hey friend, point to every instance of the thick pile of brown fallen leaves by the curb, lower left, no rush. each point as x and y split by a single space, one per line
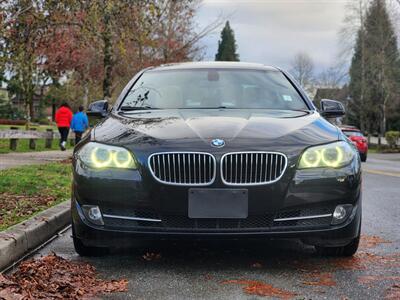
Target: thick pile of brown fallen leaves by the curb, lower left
52 277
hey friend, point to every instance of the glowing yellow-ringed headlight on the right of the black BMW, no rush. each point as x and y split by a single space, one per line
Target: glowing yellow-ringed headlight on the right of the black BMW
332 155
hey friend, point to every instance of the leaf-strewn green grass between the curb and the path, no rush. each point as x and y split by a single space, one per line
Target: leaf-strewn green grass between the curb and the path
27 190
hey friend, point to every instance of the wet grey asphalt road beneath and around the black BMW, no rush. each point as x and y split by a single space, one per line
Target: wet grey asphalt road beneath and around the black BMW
223 270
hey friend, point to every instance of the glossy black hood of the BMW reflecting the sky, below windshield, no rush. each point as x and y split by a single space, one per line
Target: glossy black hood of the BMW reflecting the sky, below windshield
196 128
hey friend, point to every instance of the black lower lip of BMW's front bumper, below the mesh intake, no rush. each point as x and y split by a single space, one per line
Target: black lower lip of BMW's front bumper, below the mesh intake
99 236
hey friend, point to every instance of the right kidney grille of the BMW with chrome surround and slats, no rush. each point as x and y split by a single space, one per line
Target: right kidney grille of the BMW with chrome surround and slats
268 163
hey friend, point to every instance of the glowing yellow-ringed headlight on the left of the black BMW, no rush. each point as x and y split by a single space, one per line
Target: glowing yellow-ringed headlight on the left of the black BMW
101 156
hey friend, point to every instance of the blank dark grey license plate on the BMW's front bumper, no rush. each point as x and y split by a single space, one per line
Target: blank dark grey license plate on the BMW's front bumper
218 203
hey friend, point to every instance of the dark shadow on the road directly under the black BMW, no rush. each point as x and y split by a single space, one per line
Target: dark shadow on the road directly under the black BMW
221 254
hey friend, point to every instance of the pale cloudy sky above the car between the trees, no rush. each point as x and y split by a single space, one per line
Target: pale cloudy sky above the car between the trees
273 31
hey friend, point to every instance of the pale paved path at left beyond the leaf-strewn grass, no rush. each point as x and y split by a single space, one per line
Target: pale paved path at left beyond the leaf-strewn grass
11 160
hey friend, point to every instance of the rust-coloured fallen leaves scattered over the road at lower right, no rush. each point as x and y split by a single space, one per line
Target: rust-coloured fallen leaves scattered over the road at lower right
319 277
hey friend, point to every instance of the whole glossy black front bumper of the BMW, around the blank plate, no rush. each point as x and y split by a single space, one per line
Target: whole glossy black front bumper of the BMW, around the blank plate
298 193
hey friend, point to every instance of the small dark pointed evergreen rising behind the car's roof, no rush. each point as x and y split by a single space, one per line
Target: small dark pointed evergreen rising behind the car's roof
227 45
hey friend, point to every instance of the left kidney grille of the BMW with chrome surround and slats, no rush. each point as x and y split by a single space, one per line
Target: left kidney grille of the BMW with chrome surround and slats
211 158
